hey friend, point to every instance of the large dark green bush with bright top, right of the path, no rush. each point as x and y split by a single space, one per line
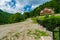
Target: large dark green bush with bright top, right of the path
50 22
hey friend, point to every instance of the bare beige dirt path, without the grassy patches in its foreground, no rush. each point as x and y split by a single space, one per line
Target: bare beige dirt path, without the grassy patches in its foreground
23 27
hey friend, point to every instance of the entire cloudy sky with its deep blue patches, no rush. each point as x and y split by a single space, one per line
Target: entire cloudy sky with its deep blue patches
14 6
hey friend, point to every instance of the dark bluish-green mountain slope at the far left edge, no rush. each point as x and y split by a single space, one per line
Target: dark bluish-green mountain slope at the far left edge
3 17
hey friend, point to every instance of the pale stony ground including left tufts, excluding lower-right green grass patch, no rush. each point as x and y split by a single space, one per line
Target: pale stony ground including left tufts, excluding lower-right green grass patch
18 31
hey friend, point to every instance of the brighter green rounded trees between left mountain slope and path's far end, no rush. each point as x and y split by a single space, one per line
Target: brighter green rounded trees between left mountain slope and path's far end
15 18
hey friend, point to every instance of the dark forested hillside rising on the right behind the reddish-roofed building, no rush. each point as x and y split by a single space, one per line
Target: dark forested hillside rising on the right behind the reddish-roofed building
54 4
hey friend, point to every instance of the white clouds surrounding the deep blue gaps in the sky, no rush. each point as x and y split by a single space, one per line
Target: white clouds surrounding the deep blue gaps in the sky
20 4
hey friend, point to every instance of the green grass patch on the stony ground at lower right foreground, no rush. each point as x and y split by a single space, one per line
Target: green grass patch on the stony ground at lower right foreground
37 33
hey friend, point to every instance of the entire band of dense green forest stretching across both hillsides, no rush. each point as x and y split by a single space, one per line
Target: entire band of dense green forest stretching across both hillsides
6 17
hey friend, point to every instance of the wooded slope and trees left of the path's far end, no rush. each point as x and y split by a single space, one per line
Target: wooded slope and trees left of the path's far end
6 18
